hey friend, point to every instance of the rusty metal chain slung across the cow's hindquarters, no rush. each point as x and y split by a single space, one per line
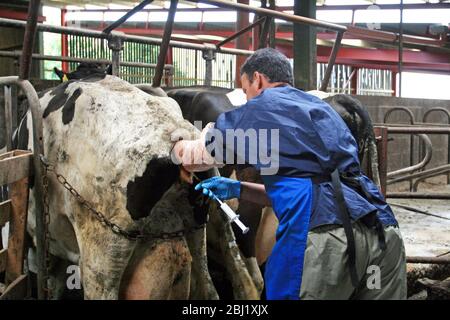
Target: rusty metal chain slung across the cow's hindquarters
130 235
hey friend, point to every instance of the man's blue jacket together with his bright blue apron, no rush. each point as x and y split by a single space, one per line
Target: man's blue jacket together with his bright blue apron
313 141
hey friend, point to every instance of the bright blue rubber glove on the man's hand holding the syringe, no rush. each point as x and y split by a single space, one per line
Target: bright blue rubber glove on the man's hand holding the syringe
223 188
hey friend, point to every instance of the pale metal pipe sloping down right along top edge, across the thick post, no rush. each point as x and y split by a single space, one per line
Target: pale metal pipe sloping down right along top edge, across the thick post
274 14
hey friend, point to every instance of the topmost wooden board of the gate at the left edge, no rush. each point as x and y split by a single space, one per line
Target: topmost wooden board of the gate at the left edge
14 165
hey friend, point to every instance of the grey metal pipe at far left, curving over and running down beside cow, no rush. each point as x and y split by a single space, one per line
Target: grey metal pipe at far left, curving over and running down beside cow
36 114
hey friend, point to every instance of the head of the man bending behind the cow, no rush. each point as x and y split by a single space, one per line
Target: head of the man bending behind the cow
266 68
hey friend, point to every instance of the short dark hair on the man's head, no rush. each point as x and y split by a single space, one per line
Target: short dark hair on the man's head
270 62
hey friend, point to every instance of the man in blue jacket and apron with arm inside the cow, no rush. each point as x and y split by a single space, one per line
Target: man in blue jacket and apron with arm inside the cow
337 238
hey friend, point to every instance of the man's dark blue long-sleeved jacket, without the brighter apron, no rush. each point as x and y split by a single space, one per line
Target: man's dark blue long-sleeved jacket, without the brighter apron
313 141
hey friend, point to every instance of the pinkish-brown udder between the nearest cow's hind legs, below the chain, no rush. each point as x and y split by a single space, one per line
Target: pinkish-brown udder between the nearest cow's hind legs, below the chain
158 271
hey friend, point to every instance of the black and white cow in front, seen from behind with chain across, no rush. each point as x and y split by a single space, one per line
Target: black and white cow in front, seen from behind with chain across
112 142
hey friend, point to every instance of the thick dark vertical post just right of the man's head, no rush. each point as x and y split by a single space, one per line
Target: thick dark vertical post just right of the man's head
305 51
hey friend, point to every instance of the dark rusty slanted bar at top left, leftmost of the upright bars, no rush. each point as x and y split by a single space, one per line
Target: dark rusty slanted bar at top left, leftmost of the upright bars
29 38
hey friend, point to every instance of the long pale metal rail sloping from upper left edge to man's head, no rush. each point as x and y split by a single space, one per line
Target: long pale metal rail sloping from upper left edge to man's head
126 37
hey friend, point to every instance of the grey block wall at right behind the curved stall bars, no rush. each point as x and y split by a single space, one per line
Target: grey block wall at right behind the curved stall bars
398 150
